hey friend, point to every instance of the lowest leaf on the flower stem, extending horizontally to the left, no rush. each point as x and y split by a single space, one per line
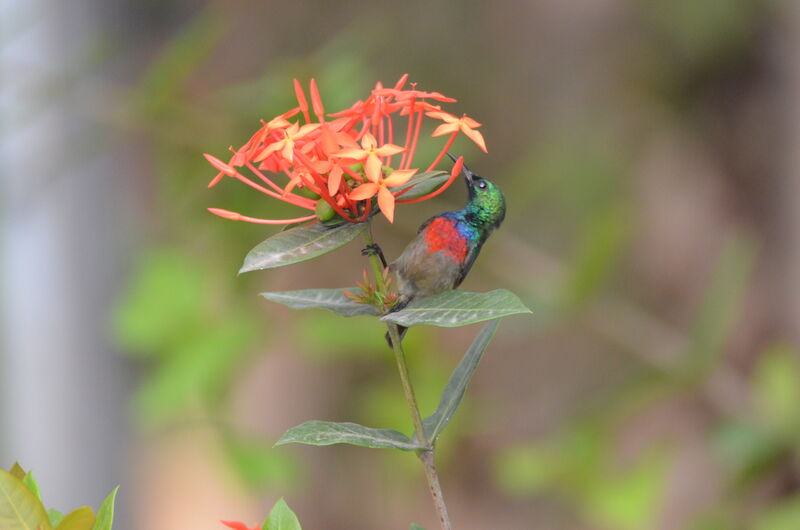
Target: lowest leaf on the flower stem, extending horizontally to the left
329 433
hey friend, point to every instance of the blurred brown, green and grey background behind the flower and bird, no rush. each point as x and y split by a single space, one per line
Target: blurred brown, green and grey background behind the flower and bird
650 154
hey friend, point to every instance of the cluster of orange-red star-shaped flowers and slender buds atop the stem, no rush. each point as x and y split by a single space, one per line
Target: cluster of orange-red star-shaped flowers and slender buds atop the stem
338 163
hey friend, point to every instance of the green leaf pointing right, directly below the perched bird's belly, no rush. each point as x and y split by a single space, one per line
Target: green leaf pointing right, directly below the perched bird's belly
458 308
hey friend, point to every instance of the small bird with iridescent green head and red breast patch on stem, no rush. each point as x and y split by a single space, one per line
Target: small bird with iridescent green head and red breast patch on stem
442 253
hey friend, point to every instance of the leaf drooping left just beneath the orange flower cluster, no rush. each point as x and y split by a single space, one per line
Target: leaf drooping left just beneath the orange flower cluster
300 244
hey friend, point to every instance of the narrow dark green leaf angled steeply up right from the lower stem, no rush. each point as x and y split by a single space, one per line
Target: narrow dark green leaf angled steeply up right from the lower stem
457 385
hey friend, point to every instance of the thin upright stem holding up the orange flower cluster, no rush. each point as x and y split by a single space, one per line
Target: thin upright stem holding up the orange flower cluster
426 456
